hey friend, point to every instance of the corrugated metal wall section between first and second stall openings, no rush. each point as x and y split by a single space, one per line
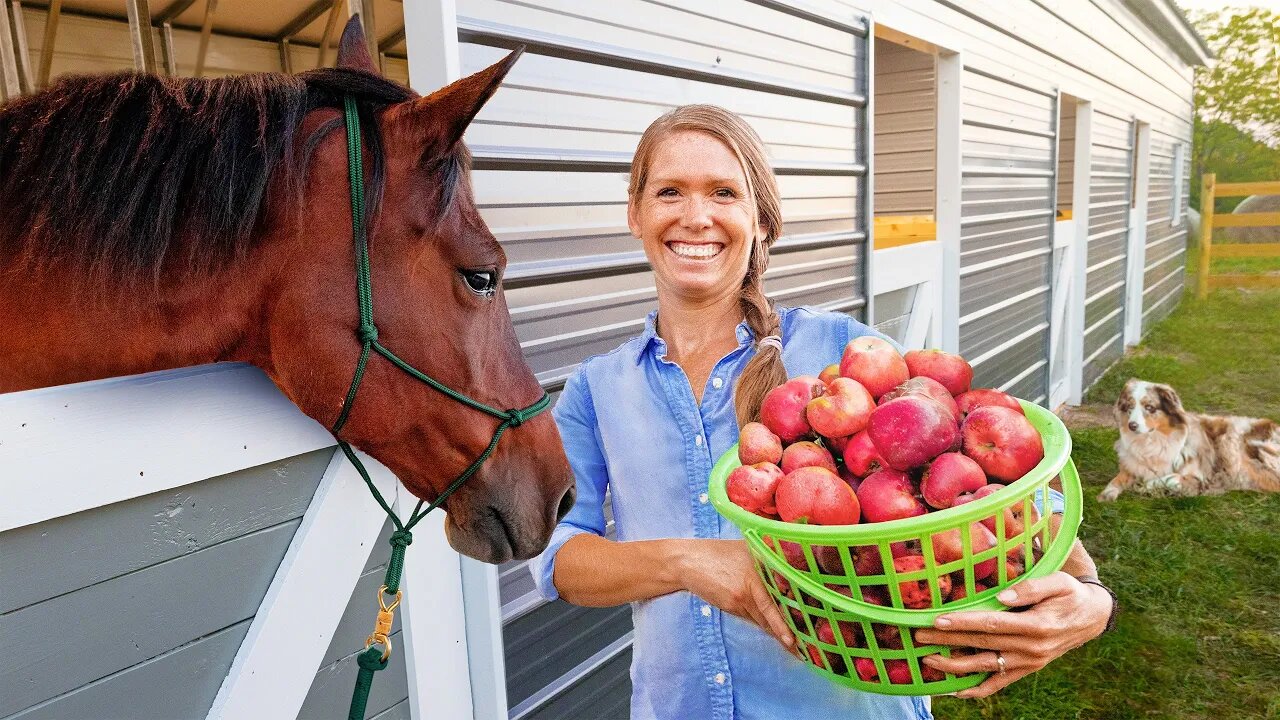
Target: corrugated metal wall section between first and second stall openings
1007 243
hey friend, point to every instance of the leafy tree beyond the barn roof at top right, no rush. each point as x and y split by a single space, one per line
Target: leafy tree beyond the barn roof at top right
1237 125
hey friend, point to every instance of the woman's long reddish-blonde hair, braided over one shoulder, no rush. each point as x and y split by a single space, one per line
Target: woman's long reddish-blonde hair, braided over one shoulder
766 371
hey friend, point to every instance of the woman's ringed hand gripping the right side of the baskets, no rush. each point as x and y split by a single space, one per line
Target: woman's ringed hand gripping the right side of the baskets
1063 614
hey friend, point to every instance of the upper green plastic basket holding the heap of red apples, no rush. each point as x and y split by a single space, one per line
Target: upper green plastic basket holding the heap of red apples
826 557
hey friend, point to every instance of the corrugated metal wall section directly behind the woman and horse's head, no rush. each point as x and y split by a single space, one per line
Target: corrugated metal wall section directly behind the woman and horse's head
552 152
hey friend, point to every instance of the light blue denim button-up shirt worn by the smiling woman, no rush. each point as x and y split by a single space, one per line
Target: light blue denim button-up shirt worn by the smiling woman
630 425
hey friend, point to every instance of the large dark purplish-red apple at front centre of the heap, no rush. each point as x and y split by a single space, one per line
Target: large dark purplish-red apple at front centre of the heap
911 431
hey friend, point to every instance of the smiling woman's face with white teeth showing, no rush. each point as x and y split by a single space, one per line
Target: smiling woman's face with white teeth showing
696 217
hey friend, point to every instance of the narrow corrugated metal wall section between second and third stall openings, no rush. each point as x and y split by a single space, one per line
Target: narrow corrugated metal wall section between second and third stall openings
1110 197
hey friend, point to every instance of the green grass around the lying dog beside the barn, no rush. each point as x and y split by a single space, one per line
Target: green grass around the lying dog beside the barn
1199 578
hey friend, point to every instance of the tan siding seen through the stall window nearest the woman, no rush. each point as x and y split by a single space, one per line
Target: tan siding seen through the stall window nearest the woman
907 136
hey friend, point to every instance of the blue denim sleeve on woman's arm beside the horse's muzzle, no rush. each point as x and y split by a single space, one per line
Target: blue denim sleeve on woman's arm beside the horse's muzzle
575 418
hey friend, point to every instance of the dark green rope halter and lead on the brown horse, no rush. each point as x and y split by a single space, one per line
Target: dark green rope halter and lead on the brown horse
376 659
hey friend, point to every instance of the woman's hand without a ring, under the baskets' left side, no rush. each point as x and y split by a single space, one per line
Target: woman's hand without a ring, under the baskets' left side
724 575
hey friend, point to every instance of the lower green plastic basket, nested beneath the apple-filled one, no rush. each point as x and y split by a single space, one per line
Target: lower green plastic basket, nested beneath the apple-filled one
881 636
